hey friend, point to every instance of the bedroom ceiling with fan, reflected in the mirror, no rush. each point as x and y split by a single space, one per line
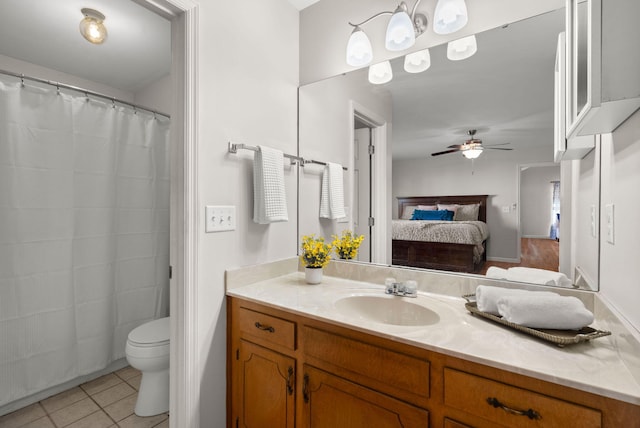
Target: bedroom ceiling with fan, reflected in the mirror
505 91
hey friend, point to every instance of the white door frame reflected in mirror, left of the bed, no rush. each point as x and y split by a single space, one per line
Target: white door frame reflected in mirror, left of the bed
381 173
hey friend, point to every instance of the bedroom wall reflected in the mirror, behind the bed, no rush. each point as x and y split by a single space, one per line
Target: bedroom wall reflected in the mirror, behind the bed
494 173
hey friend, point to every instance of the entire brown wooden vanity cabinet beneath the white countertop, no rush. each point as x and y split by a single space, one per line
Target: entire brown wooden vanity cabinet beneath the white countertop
287 370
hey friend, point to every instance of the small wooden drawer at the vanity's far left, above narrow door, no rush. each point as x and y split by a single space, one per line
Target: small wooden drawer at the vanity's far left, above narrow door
268 328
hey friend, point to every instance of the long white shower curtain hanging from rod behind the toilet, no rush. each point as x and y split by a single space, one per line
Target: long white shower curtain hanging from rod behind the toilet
84 233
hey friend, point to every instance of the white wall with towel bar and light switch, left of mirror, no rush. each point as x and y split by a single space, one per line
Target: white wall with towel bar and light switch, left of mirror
247 91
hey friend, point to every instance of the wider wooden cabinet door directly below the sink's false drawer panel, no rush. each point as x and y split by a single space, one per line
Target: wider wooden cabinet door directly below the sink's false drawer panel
330 402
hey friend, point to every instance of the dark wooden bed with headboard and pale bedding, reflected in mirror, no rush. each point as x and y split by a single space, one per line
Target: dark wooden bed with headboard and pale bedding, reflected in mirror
435 250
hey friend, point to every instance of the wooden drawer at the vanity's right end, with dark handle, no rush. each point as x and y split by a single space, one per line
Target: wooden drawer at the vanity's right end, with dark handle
506 405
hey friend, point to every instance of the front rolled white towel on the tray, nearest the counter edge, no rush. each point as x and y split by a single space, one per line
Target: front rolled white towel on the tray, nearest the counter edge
552 312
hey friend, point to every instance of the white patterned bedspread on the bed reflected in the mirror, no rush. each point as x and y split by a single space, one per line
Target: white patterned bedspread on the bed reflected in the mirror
454 232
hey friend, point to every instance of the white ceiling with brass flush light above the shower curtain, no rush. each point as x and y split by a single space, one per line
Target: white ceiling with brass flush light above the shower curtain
45 32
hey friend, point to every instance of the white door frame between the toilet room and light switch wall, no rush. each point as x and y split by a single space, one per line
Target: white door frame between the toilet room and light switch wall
184 407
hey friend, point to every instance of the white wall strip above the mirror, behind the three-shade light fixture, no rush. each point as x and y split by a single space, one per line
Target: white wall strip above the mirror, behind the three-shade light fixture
324 29
